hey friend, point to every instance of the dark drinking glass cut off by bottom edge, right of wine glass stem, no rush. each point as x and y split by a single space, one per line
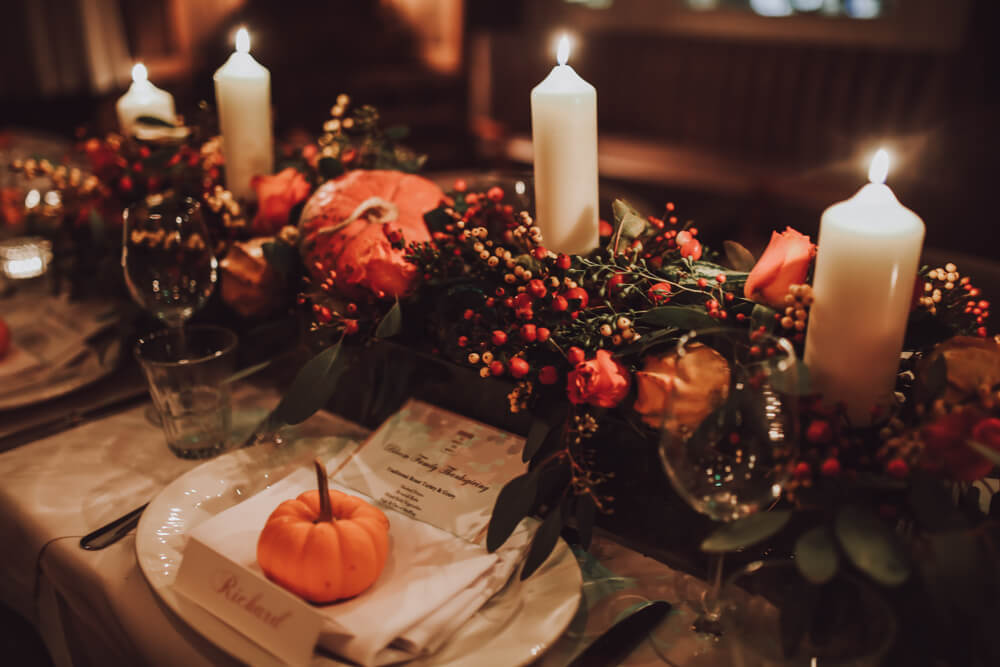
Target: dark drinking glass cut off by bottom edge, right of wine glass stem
842 623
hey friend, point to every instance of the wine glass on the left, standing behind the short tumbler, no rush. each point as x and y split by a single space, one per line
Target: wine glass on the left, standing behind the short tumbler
167 257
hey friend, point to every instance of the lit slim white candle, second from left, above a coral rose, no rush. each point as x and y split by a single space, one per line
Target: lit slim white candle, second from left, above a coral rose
243 95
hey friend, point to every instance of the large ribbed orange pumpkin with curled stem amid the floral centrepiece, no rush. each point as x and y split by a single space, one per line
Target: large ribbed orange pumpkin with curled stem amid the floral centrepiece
344 226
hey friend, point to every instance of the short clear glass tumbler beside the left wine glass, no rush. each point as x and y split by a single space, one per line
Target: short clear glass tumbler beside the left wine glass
190 387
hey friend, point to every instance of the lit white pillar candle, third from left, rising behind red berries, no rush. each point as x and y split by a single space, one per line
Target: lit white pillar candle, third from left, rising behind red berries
564 135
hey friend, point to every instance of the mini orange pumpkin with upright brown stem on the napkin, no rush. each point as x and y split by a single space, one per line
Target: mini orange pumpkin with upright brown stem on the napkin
324 545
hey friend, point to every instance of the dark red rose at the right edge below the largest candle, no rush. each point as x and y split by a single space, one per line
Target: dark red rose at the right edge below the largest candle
945 445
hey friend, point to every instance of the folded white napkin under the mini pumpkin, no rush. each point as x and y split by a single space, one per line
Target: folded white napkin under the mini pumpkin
433 581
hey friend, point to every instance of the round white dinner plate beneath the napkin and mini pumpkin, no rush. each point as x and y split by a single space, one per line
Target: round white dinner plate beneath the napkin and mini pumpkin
515 627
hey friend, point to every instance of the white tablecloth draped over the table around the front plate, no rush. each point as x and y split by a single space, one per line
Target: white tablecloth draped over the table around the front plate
96 608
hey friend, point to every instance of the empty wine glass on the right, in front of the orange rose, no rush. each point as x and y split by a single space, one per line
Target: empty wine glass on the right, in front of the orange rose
729 431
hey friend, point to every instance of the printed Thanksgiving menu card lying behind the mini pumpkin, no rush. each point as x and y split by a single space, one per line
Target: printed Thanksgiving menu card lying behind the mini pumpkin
437 467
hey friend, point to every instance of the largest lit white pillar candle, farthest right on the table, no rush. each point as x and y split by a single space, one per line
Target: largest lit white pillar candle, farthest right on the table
866 264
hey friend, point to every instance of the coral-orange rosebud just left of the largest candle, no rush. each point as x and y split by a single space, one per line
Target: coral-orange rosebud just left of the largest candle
785 262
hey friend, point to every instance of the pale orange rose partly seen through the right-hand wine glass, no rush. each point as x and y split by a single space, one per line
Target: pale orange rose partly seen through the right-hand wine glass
675 394
